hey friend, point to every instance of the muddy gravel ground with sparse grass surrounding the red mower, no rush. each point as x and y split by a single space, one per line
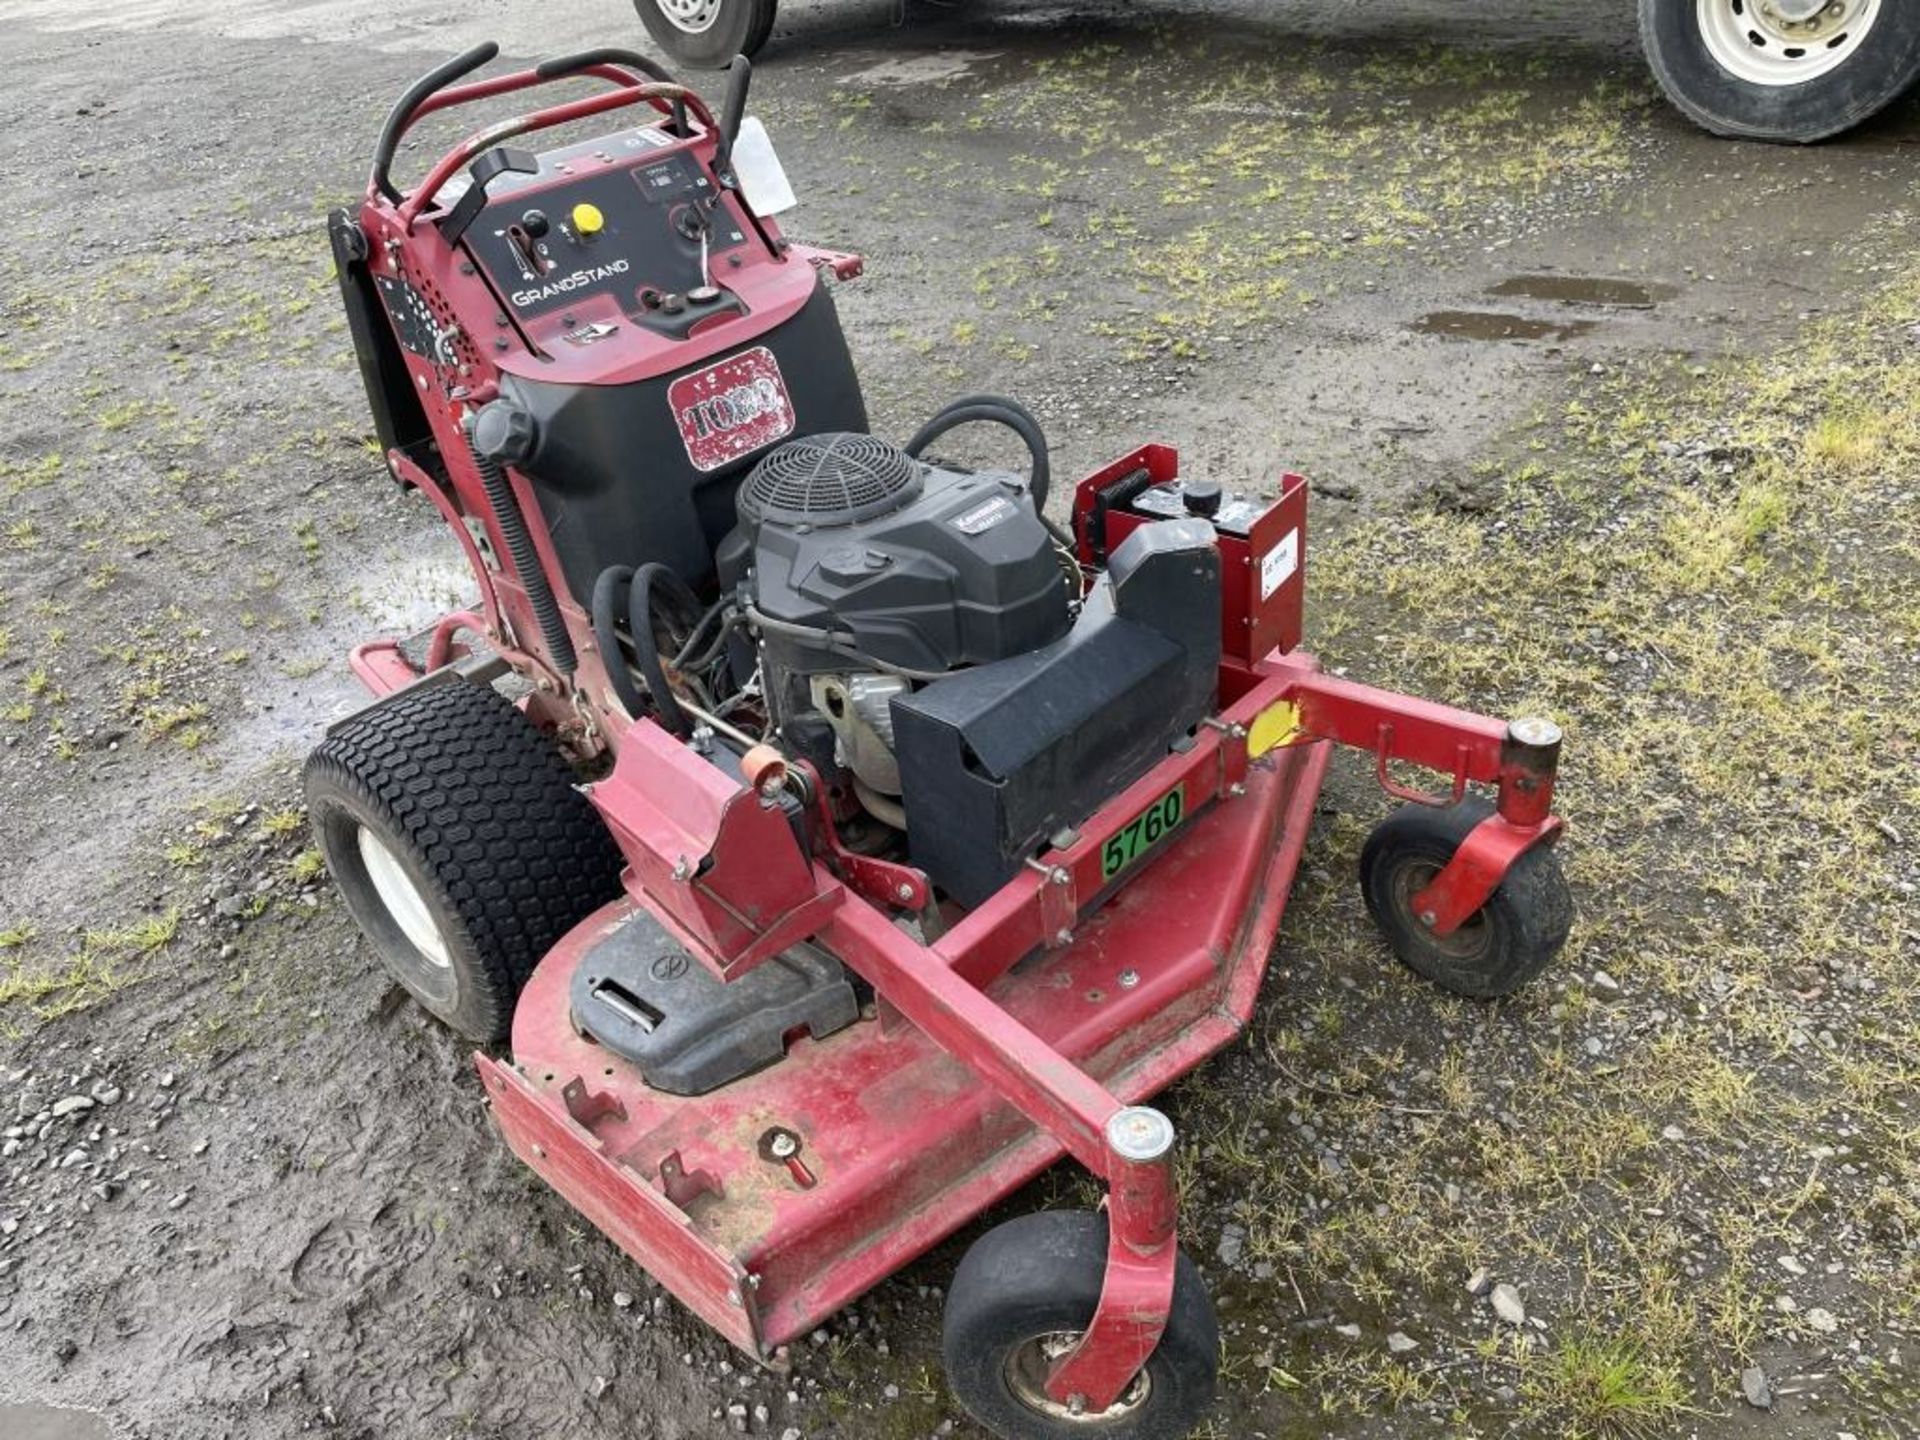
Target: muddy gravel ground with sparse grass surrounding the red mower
1604 418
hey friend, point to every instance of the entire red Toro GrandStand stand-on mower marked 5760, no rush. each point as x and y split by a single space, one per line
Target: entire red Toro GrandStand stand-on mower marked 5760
840 840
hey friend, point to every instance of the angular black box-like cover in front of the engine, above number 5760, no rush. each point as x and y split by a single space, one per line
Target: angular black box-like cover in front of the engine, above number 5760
999 757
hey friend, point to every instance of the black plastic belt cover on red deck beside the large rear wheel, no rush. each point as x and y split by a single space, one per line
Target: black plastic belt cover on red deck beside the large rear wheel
648 1001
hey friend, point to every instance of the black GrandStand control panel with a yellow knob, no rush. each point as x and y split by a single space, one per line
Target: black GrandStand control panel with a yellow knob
633 218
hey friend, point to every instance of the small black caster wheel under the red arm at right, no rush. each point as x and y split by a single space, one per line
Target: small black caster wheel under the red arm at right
1502 946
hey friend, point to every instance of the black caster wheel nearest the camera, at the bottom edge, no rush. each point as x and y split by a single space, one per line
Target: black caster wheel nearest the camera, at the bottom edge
1026 1293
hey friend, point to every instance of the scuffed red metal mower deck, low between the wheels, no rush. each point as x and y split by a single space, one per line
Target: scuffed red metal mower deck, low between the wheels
898 1143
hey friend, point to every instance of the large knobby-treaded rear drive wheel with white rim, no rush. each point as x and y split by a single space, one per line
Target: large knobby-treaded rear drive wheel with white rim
460 844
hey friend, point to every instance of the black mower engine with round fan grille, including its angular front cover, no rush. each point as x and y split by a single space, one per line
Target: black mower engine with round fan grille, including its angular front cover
923 640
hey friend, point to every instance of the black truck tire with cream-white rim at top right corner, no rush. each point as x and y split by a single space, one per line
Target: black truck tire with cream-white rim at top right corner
1781 70
